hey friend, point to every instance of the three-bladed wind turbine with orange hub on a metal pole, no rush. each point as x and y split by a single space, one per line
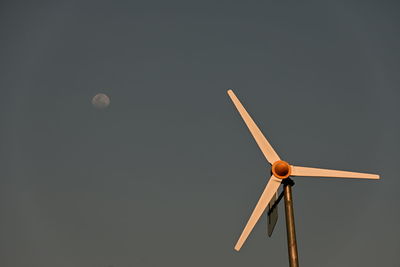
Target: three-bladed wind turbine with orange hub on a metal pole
281 171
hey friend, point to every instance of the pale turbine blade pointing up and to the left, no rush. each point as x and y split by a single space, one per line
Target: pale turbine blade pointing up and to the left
262 142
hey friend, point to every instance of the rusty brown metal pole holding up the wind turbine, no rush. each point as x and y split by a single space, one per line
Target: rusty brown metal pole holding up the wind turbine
291 233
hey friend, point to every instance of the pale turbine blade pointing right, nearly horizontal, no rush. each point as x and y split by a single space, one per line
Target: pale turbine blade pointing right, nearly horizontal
305 171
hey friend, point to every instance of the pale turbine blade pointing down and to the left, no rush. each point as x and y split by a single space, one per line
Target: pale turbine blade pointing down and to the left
266 196
